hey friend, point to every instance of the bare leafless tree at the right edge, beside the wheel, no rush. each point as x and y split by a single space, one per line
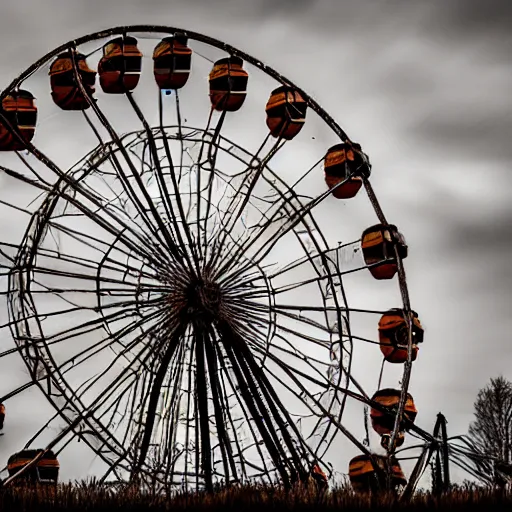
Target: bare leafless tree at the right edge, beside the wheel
491 432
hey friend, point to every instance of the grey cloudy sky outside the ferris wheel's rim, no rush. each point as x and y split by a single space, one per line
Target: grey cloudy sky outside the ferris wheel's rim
425 87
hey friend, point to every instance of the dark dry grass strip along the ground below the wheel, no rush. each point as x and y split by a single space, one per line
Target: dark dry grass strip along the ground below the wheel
91 497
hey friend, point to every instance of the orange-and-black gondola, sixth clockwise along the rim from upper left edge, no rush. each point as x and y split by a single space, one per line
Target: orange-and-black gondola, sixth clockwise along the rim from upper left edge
286 112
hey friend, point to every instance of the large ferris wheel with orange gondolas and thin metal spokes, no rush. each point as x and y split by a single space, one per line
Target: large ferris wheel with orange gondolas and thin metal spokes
195 272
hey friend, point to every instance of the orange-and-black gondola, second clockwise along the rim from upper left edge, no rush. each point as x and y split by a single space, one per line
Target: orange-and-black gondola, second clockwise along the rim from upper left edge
66 92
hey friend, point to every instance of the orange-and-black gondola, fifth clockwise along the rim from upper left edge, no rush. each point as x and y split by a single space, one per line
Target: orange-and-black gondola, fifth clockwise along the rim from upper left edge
228 84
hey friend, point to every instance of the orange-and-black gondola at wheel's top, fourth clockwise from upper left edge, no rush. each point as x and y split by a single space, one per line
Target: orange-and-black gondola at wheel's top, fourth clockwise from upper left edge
172 60
